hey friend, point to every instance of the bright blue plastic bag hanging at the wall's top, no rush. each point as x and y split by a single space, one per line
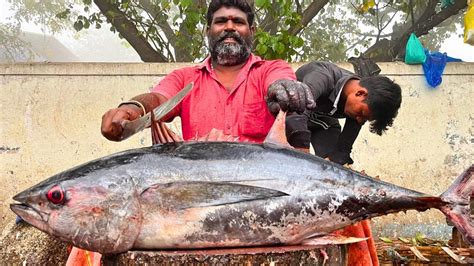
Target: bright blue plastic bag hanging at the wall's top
434 66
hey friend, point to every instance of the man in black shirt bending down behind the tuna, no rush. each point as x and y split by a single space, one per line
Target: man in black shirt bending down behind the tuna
339 93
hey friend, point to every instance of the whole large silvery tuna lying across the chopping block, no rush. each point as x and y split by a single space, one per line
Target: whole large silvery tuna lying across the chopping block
218 194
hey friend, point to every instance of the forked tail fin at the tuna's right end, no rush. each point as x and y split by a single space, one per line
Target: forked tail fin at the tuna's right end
457 204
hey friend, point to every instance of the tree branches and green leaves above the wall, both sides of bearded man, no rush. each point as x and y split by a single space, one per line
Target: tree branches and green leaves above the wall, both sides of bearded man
302 30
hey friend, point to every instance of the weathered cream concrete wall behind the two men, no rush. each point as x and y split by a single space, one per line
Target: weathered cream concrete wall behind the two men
51 117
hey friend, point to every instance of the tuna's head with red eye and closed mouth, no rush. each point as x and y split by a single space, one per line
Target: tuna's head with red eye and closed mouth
93 213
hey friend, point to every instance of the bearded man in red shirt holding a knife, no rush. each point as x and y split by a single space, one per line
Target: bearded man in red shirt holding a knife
230 88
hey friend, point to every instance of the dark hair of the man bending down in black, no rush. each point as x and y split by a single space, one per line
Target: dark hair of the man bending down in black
383 98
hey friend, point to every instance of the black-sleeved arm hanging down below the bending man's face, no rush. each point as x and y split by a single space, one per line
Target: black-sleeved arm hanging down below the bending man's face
342 152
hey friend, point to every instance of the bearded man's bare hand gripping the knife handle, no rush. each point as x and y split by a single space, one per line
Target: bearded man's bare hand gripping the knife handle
112 120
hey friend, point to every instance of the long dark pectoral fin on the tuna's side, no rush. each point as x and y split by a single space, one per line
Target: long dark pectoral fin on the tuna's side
195 194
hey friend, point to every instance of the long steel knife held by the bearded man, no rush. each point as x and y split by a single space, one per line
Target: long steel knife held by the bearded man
131 127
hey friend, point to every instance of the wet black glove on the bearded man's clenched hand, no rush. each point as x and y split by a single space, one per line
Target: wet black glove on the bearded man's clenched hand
289 95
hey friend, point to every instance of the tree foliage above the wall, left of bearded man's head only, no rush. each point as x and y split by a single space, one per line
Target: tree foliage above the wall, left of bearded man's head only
172 28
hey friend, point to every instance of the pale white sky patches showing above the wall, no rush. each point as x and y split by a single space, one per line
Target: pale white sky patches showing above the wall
104 46
